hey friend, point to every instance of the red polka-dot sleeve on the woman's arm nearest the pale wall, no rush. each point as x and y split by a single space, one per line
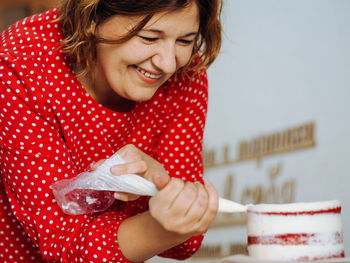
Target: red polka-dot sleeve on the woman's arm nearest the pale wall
180 148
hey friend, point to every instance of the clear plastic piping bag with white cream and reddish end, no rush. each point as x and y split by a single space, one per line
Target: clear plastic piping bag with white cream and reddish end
92 191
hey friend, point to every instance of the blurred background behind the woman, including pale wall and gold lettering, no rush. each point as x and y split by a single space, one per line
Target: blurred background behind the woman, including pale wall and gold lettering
278 119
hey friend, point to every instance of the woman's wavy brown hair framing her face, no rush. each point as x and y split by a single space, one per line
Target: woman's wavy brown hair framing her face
77 16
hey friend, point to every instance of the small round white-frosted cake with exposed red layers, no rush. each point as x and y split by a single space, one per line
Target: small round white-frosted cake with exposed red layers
296 231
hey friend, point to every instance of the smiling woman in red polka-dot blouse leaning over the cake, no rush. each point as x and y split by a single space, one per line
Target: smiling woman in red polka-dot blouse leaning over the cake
90 79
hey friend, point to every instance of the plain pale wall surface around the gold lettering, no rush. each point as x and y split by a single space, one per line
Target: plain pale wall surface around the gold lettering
284 63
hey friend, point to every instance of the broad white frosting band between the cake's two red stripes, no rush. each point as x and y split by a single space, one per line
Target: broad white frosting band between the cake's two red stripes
260 224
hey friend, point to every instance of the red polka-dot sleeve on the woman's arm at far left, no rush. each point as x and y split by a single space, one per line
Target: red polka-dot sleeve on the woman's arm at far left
34 155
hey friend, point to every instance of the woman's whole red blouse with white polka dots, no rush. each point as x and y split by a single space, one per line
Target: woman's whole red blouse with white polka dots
51 129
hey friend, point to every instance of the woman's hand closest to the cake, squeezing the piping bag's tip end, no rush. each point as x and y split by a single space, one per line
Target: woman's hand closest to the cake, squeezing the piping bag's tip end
185 208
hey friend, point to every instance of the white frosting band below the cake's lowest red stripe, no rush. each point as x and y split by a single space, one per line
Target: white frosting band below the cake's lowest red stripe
294 252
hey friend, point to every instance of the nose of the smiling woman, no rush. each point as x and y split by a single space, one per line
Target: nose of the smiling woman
165 58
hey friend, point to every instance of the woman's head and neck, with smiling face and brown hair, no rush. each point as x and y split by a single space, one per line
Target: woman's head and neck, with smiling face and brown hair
169 43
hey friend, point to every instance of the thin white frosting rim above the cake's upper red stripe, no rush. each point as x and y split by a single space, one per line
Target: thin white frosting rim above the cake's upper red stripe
294 207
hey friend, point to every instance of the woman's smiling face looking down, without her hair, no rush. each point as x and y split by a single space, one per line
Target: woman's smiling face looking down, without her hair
136 68
